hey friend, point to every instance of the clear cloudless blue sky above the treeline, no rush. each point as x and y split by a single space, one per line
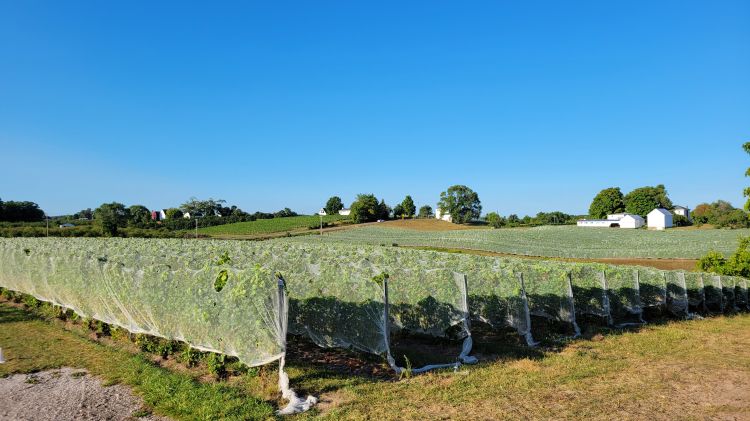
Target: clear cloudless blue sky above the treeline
535 105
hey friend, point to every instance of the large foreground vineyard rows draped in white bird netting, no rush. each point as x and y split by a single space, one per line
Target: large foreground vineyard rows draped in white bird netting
241 298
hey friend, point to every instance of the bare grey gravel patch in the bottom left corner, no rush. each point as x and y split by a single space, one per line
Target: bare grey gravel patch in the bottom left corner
67 394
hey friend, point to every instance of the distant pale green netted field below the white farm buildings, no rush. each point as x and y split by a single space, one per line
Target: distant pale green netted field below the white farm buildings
555 241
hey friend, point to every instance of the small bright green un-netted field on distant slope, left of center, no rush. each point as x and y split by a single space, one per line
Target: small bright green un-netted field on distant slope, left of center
270 226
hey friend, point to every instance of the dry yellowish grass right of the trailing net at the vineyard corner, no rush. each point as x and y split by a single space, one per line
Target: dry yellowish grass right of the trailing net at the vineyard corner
681 370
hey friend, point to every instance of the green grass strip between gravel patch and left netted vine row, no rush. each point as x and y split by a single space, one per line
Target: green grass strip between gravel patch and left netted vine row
31 344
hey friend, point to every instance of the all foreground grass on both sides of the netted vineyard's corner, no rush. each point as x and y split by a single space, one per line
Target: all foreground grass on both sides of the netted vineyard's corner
688 370
